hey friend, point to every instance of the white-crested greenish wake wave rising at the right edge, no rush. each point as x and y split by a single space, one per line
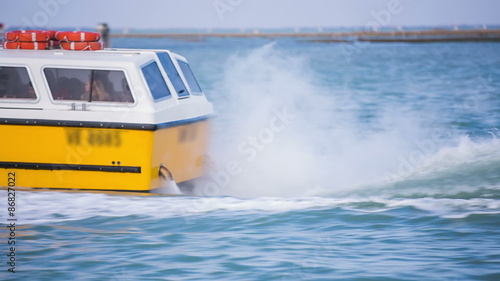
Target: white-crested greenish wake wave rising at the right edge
466 170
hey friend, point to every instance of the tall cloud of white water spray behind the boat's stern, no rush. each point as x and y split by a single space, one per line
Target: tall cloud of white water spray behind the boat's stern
282 133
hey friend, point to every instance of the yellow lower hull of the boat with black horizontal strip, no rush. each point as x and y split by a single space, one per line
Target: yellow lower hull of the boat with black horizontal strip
101 158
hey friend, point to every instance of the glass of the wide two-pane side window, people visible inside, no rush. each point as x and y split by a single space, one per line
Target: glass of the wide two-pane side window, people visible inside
74 85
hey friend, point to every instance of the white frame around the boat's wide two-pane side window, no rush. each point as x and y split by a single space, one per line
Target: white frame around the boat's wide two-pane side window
93 103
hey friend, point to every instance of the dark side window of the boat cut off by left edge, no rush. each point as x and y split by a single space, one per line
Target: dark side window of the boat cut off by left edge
15 83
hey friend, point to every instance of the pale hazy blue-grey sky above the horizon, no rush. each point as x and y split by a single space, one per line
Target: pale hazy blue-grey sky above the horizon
244 14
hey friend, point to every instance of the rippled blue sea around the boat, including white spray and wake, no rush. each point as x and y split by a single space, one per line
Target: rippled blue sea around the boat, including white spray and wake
328 161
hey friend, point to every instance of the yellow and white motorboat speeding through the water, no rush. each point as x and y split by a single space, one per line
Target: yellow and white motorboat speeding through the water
105 119
